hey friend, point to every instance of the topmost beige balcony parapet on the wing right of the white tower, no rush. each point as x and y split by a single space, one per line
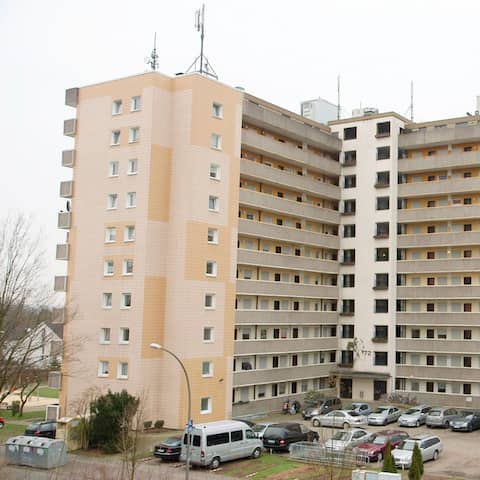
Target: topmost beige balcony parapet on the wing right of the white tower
432 137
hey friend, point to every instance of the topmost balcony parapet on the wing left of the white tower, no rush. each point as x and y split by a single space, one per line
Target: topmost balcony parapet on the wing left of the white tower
284 122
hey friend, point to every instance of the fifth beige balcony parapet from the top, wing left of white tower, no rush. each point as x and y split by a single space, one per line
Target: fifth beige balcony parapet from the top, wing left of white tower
281 233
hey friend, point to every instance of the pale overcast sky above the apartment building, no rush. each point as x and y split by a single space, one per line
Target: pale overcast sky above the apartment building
283 51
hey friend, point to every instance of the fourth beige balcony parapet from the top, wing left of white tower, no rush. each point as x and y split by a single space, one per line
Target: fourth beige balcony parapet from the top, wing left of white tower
281 206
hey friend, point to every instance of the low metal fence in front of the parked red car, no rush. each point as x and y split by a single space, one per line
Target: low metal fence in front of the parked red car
314 452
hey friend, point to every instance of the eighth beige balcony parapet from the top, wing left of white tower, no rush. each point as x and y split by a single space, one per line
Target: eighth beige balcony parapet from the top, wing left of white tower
278 317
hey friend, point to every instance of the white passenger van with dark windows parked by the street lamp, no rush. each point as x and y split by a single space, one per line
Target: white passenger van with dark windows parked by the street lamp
216 442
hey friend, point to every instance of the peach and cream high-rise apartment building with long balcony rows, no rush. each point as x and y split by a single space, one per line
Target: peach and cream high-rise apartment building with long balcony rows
273 254
